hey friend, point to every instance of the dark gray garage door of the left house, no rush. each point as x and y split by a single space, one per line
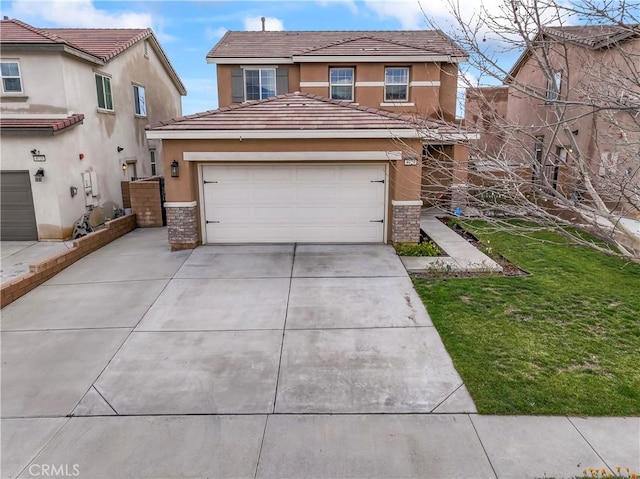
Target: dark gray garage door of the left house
18 217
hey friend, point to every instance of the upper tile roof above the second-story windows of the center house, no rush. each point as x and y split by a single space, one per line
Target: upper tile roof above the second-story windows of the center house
289 43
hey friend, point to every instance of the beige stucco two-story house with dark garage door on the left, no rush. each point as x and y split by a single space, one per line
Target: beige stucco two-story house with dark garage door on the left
74 106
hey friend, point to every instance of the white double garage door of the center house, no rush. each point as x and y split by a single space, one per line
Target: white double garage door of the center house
294 203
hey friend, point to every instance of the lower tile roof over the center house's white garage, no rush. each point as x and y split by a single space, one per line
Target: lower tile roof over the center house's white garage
301 111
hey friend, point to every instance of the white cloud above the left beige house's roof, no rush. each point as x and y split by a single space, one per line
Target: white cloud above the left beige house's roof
79 14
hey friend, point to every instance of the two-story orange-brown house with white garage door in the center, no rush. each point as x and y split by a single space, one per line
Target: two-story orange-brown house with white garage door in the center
319 137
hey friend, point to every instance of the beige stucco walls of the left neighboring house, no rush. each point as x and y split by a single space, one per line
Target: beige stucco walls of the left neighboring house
70 88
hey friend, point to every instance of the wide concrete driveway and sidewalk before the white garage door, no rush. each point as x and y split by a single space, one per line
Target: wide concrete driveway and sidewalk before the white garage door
250 361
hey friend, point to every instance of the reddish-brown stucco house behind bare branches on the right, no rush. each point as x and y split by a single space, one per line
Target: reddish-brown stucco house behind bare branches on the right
574 94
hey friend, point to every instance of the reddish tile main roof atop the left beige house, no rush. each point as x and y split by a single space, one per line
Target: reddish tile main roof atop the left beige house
102 43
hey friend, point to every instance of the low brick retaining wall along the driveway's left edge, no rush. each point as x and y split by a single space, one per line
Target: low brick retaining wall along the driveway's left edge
41 272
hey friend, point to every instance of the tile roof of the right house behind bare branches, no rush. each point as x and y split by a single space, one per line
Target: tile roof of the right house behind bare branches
592 36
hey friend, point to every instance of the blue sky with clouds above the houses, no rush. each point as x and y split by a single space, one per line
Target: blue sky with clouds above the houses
187 30
